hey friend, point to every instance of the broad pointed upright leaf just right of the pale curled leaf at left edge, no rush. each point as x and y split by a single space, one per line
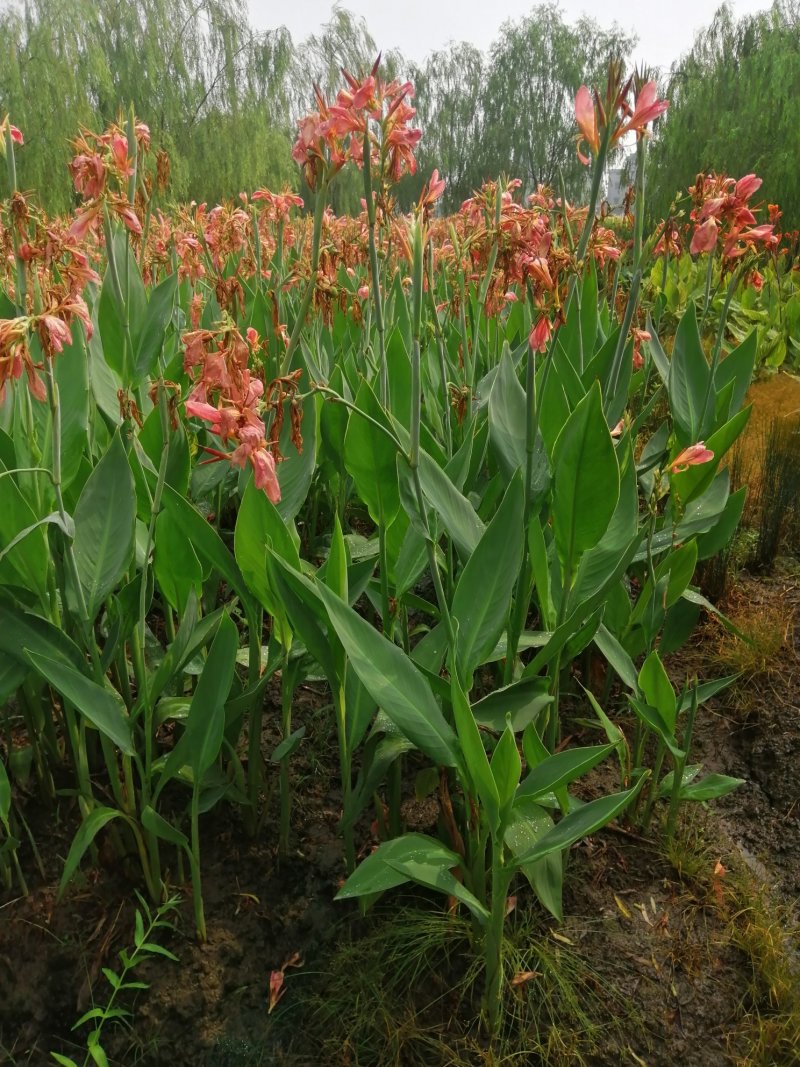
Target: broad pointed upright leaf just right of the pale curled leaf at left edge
104 527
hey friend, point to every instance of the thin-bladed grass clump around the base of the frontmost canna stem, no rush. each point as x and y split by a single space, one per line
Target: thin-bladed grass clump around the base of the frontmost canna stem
406 993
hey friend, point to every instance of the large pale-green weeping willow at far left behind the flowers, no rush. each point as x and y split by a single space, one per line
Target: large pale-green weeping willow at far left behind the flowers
214 93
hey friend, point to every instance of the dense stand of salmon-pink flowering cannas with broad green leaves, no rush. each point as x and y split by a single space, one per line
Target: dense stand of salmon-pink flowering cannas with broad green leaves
248 434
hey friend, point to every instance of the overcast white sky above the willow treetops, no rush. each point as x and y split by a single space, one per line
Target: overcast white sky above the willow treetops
418 27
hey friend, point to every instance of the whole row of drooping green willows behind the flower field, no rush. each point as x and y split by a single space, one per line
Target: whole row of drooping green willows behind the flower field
222 100
